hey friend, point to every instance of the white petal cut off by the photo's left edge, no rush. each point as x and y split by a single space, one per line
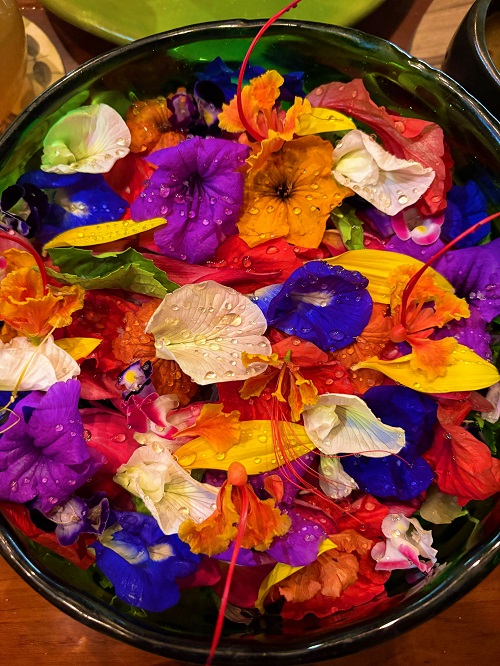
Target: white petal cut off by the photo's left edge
43 365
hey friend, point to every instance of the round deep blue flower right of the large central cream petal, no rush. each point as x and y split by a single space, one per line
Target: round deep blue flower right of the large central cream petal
327 305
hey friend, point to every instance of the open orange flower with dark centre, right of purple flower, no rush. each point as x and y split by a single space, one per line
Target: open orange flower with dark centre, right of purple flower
291 195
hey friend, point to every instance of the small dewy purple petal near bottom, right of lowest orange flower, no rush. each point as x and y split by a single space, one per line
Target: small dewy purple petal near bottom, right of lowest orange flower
299 546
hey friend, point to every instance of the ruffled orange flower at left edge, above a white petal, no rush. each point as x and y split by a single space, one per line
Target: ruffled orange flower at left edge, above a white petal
23 304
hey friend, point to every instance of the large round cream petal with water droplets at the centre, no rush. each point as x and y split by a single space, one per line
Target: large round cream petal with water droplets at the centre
205 327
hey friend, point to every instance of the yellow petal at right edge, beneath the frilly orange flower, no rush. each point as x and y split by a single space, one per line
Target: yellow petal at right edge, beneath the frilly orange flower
469 372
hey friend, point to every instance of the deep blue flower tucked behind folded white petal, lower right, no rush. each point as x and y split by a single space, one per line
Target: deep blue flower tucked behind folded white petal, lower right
404 476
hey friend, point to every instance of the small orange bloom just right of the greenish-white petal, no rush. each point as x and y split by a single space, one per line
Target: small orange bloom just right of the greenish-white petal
150 129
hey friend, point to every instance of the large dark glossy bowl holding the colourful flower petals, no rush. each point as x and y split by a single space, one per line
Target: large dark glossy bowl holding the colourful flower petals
156 65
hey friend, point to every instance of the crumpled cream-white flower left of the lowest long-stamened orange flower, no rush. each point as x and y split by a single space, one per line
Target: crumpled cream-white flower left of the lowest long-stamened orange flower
167 490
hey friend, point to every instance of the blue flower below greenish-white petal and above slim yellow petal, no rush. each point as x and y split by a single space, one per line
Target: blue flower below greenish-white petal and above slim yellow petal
75 200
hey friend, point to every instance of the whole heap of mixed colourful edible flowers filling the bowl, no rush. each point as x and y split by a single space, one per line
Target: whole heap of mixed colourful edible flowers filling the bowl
247 334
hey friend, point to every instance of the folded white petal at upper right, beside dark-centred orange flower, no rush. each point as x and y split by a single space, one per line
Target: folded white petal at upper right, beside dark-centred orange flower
388 182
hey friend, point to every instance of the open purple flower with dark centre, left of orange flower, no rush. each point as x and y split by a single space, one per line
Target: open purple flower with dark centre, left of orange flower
199 191
